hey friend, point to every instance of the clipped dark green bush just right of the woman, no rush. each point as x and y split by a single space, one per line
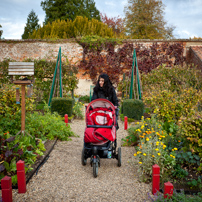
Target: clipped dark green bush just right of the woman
133 108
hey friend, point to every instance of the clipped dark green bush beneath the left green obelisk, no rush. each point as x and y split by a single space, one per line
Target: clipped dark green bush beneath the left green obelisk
62 106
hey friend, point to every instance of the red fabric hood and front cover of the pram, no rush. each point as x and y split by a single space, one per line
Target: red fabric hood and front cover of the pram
100 120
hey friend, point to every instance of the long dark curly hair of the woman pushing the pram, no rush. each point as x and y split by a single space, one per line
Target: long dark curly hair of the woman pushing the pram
107 87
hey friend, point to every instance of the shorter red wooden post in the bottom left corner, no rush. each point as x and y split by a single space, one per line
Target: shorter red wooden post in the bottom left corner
6 189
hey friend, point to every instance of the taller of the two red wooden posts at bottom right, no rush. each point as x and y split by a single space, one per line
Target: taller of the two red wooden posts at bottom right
155 178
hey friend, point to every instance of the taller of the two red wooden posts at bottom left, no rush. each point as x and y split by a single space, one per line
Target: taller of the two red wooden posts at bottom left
21 176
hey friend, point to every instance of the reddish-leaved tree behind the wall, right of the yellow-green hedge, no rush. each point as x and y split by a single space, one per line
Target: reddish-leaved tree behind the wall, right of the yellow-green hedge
116 23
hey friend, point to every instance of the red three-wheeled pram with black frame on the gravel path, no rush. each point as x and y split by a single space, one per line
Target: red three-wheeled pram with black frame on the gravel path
100 134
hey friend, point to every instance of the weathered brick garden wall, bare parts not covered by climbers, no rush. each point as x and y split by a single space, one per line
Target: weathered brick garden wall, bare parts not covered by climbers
41 49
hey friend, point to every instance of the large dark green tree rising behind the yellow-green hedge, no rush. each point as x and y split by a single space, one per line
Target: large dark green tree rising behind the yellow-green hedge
69 9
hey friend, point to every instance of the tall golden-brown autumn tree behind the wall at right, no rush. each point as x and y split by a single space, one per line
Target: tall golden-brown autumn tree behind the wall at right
144 20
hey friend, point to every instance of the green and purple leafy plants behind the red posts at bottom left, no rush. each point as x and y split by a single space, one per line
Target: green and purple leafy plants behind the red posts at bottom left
15 148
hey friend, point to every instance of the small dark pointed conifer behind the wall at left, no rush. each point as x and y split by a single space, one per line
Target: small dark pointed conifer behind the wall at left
31 25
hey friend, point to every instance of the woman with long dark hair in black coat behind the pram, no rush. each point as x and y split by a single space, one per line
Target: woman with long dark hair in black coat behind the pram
104 89
